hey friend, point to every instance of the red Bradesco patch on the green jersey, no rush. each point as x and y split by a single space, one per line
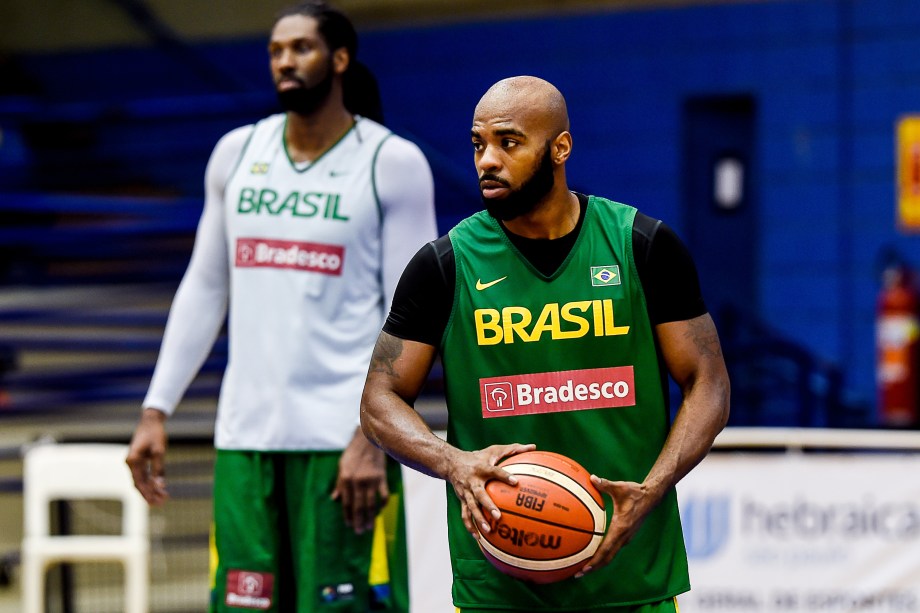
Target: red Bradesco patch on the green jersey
555 392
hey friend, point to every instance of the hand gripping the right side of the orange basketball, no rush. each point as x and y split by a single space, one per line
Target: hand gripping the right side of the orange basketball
631 503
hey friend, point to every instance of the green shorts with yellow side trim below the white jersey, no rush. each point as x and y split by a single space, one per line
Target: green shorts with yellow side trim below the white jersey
281 544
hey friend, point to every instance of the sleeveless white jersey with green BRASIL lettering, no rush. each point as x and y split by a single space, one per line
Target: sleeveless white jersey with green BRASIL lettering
306 301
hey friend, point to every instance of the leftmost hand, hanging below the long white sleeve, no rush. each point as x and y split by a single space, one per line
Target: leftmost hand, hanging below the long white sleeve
146 457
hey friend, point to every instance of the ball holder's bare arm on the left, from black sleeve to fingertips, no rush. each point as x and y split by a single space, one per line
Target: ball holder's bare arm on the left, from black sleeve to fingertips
397 372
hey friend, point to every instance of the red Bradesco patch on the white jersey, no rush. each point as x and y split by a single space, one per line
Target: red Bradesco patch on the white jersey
271 253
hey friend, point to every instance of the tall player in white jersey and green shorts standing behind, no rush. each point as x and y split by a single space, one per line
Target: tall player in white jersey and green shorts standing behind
309 218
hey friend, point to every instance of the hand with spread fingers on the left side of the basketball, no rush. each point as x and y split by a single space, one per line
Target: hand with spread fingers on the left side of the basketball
468 474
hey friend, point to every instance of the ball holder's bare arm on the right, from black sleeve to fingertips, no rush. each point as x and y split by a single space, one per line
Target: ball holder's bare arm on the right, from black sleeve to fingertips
694 358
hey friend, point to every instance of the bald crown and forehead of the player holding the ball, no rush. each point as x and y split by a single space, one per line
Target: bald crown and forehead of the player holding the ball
528 101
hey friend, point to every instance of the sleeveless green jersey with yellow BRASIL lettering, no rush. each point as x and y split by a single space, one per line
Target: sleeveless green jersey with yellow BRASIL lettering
568 362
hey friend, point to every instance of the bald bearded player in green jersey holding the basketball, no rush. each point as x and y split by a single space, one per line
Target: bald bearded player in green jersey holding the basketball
549 289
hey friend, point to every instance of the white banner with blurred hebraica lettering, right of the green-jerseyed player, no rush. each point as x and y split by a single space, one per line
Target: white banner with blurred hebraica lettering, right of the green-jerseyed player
795 532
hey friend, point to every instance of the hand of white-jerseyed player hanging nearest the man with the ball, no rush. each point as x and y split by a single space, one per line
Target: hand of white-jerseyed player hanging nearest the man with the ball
362 483
